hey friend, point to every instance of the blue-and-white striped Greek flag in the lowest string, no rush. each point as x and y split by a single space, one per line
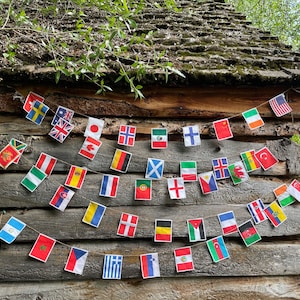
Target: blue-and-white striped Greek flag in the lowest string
112 266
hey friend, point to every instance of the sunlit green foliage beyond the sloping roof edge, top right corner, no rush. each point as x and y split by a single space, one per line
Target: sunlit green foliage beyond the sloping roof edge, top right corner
280 17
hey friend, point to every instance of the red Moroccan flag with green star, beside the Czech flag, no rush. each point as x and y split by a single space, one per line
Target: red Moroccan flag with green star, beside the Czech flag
42 247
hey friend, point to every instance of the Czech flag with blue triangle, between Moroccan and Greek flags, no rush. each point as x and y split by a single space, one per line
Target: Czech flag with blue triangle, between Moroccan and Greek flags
76 261
